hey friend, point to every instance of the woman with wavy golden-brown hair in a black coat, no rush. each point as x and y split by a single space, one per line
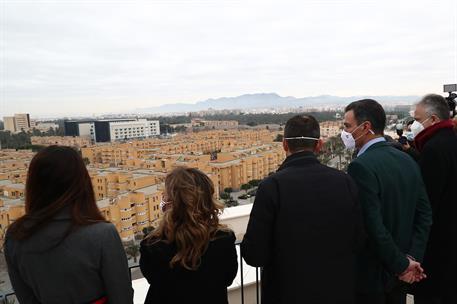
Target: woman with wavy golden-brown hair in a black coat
190 257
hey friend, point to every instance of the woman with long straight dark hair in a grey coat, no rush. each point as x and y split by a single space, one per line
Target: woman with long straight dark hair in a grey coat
63 250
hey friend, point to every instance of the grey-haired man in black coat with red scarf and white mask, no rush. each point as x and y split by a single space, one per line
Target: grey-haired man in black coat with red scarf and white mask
436 141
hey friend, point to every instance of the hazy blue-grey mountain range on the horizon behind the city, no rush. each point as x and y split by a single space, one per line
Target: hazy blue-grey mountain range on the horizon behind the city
272 100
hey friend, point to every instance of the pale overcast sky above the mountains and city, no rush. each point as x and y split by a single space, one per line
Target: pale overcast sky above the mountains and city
97 56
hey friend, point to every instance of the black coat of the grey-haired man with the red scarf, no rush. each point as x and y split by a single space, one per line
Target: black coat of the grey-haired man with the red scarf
438 162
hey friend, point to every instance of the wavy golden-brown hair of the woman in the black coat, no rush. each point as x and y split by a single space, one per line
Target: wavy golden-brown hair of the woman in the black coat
193 219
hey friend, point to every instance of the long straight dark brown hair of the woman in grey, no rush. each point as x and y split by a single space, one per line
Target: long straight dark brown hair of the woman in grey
57 178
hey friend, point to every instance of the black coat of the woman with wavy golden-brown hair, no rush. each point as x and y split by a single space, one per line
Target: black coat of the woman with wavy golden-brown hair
208 284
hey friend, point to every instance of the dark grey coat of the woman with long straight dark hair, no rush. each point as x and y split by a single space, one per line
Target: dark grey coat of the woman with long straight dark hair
89 264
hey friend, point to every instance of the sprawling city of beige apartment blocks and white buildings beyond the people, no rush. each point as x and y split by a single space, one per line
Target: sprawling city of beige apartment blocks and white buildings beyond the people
128 159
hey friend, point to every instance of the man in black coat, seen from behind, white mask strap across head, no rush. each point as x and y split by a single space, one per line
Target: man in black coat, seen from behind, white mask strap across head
305 225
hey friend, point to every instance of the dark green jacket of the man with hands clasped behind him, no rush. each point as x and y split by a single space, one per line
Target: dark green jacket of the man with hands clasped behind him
397 215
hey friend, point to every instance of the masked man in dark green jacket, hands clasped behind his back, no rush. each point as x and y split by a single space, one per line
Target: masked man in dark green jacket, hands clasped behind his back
396 210
